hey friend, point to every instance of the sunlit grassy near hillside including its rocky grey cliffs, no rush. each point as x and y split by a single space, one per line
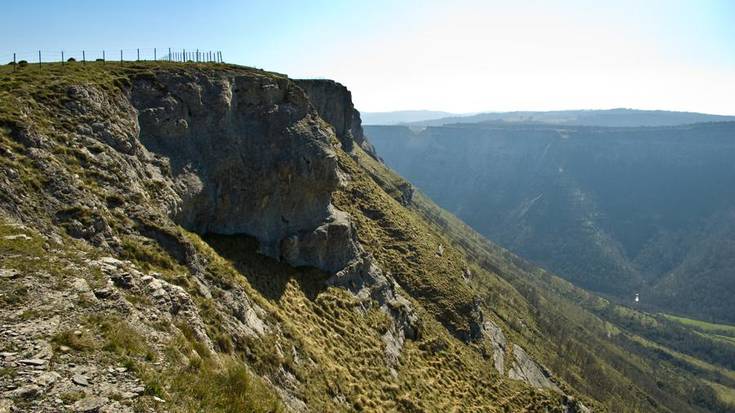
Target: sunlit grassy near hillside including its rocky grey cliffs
203 237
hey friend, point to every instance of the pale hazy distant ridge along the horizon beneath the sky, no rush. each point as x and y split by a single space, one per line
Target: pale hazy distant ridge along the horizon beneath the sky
607 117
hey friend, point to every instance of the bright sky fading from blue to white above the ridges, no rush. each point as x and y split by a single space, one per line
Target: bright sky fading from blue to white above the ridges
457 56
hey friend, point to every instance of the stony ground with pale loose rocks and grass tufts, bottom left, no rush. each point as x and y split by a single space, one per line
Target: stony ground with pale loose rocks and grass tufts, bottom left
50 325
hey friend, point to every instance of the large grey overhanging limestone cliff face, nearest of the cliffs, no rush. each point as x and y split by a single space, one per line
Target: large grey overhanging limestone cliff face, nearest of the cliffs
248 155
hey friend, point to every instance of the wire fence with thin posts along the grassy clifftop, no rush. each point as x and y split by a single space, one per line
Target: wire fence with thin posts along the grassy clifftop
168 54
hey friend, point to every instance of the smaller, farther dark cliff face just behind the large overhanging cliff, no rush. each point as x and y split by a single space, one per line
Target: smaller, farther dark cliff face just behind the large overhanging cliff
334 104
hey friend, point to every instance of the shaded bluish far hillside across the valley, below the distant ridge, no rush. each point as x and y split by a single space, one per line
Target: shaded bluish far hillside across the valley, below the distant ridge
615 210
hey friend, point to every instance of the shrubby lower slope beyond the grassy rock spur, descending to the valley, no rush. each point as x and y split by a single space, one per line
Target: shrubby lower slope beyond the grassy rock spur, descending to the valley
591 349
